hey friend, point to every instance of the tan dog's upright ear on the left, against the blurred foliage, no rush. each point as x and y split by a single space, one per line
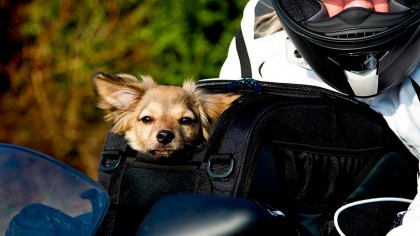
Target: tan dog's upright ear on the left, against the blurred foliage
118 94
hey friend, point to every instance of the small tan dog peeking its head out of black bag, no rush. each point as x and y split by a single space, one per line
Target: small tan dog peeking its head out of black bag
156 119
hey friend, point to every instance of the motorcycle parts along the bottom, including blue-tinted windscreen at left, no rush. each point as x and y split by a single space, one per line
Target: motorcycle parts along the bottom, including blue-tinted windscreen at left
40 195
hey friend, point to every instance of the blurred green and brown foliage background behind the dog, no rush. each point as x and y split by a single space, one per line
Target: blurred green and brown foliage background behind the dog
49 49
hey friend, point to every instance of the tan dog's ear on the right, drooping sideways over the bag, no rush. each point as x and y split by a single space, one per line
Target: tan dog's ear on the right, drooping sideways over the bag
210 106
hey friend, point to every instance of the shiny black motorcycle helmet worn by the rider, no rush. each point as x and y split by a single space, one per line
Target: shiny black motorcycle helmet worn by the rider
356 41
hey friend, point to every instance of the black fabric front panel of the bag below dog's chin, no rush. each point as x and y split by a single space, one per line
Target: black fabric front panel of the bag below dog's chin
134 186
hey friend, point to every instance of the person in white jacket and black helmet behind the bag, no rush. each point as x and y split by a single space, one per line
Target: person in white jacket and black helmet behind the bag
368 49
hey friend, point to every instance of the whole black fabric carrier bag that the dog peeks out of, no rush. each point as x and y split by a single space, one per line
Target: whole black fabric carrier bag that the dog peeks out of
300 149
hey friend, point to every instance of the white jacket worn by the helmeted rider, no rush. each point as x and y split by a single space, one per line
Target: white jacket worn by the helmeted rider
272 60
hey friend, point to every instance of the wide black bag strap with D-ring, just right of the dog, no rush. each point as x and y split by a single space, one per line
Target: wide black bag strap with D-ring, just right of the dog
230 162
